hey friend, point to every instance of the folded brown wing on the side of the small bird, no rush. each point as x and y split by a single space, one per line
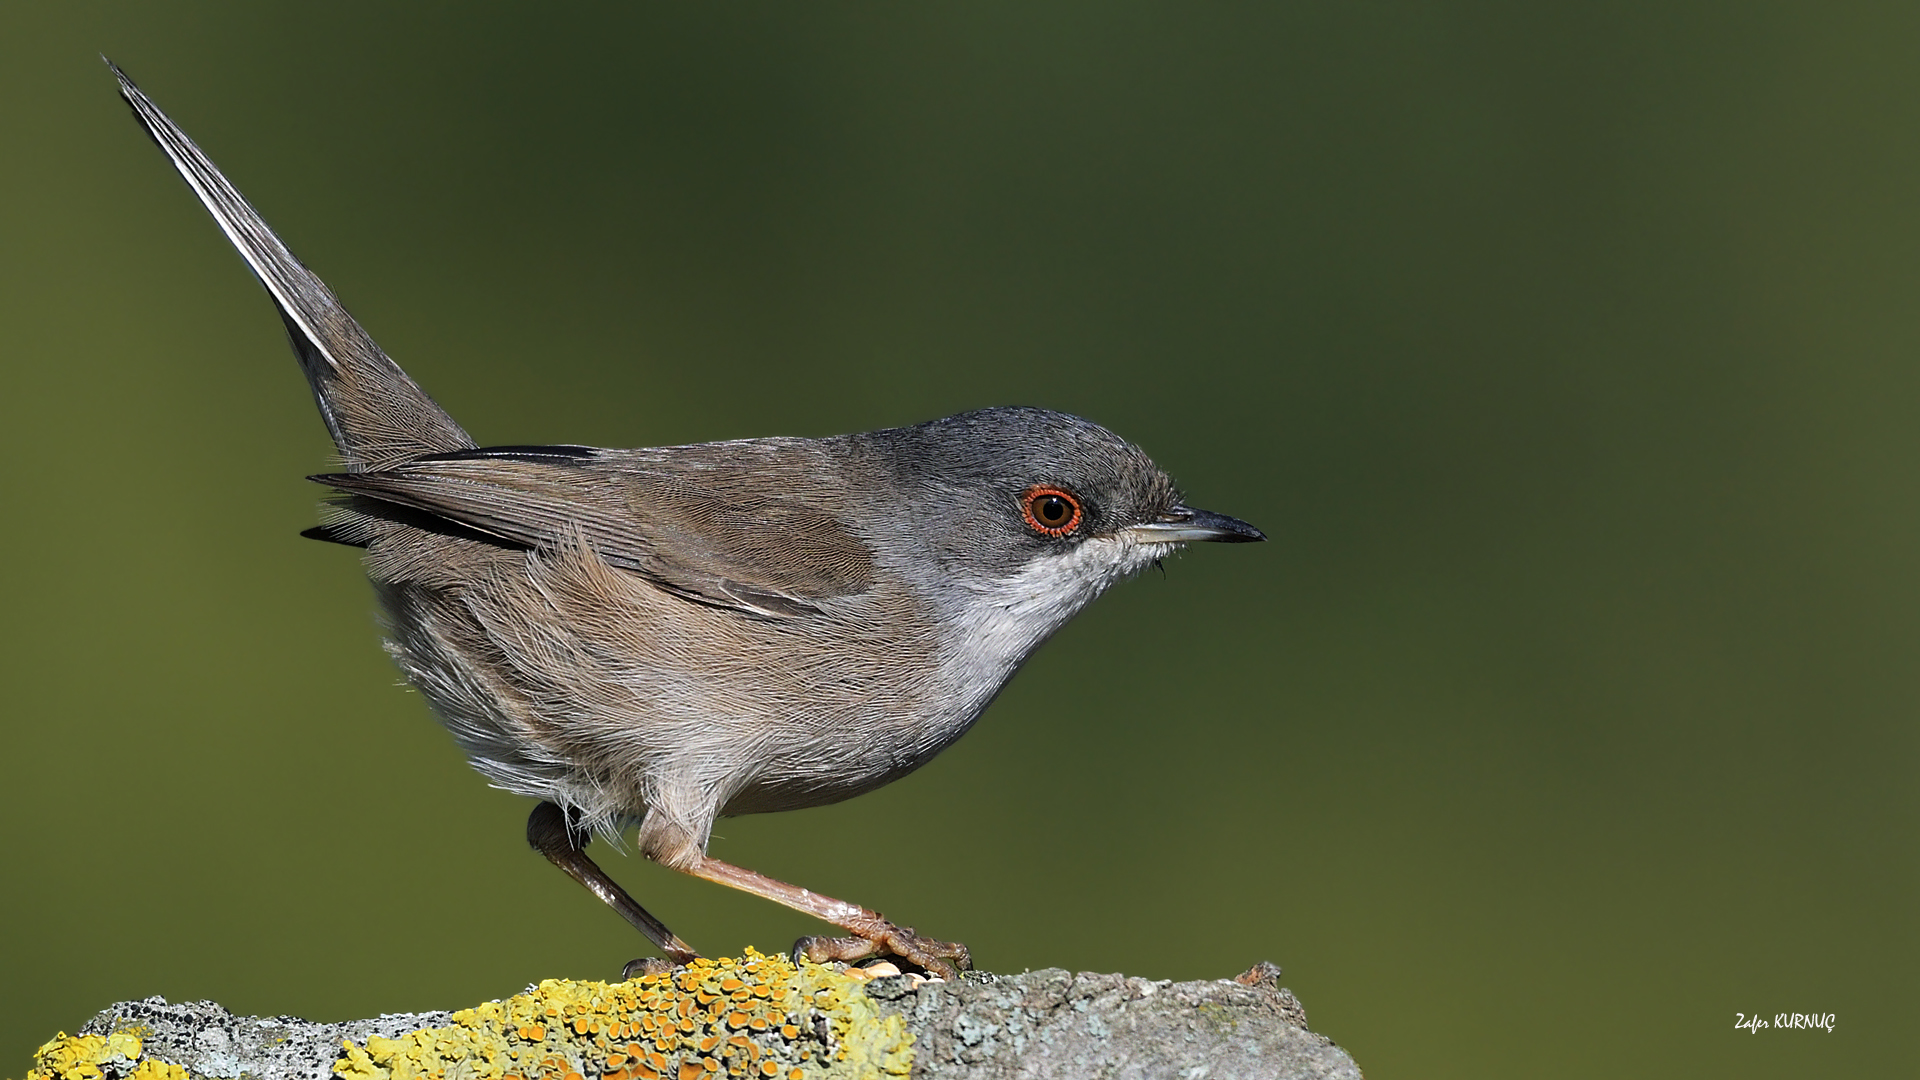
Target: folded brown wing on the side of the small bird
708 535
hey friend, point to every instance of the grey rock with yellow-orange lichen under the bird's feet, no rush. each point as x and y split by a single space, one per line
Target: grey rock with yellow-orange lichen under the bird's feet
756 1018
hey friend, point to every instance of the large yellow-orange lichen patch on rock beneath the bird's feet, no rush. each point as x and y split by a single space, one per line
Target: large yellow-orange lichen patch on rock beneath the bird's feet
679 1025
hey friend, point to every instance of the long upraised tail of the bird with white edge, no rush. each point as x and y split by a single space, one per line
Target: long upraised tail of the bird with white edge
375 412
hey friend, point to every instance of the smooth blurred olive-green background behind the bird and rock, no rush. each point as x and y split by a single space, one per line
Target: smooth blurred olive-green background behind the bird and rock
1566 355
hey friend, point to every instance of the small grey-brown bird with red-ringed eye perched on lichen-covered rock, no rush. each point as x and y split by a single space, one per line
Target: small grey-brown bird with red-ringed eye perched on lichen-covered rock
663 637
